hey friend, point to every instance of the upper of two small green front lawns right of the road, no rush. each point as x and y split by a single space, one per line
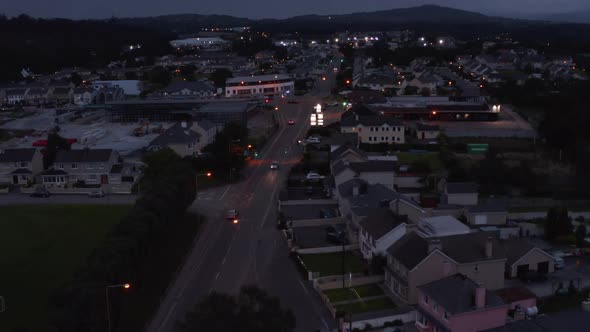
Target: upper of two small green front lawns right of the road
331 264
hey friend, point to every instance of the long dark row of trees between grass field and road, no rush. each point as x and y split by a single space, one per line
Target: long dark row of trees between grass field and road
168 189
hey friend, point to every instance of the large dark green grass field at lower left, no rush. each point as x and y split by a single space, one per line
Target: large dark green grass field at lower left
41 247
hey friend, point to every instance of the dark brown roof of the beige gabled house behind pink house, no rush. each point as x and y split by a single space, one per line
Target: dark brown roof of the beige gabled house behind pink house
411 249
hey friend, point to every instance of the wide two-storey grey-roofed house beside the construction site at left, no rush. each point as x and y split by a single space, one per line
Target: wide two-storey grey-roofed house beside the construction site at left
89 166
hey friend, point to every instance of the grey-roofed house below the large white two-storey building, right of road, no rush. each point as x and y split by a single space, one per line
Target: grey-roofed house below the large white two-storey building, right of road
373 171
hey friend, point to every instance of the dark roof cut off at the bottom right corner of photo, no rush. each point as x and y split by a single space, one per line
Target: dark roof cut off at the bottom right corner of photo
573 321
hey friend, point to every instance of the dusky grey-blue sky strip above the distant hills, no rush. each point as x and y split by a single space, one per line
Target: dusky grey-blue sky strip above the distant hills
78 9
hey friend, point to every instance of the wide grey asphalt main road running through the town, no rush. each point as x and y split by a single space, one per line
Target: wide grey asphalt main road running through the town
228 256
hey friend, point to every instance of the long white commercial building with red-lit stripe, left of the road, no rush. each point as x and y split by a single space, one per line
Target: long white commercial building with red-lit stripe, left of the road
259 86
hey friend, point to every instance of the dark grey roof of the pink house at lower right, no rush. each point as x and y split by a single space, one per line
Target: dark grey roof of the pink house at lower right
456 294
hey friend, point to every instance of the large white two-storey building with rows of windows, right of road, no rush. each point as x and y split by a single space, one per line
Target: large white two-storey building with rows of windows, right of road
374 129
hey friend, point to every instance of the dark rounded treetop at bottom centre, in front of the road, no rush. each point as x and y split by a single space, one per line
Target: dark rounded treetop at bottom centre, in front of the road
251 310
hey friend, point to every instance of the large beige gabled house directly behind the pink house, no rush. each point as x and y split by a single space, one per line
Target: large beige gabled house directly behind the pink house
415 260
